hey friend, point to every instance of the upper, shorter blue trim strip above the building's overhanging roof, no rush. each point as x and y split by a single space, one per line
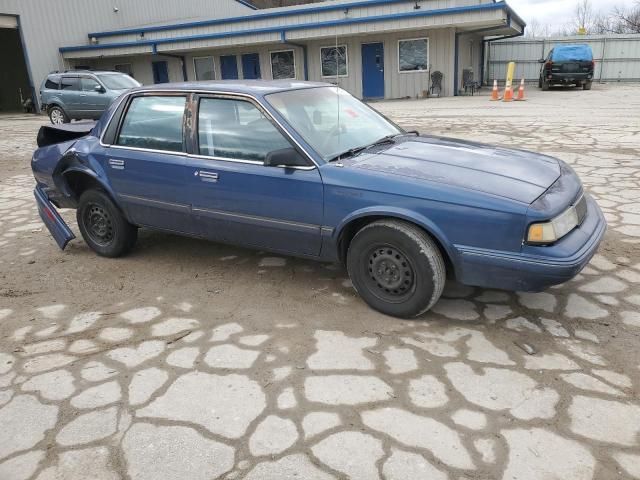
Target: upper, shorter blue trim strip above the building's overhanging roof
257 16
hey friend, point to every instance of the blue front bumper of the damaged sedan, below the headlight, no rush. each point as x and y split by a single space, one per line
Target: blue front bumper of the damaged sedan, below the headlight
535 268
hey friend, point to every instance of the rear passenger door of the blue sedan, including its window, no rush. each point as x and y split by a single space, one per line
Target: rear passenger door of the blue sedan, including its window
146 162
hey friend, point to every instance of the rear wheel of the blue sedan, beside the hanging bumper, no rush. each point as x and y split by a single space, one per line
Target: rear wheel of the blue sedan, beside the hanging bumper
103 226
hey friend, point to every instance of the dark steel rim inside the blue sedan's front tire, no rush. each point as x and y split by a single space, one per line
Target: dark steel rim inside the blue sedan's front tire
390 272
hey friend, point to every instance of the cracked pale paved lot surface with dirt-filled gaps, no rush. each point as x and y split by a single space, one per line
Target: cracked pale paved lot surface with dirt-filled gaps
193 360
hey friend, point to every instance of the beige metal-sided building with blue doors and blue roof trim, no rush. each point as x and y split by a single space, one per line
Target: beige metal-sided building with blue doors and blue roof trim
372 48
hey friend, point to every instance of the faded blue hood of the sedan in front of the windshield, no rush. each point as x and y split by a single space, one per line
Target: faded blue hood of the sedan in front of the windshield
514 174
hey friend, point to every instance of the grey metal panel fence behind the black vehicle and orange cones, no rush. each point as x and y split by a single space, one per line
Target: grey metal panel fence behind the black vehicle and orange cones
617 56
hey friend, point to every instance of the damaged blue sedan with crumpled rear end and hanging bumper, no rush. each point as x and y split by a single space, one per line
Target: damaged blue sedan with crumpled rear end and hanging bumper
306 169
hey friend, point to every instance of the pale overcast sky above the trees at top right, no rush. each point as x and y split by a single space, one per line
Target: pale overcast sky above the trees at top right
558 12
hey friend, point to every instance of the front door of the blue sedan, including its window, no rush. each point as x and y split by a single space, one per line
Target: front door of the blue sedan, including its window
234 196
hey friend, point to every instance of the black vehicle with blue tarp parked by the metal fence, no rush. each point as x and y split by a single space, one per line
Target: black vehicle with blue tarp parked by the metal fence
567 65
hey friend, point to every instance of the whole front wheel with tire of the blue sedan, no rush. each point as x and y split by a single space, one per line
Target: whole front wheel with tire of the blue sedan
396 268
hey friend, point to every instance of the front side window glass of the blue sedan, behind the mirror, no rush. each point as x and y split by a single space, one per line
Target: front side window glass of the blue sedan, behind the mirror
237 130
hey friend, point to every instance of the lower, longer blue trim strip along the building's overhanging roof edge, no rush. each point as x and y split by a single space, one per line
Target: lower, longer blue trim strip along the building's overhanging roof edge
289 28
